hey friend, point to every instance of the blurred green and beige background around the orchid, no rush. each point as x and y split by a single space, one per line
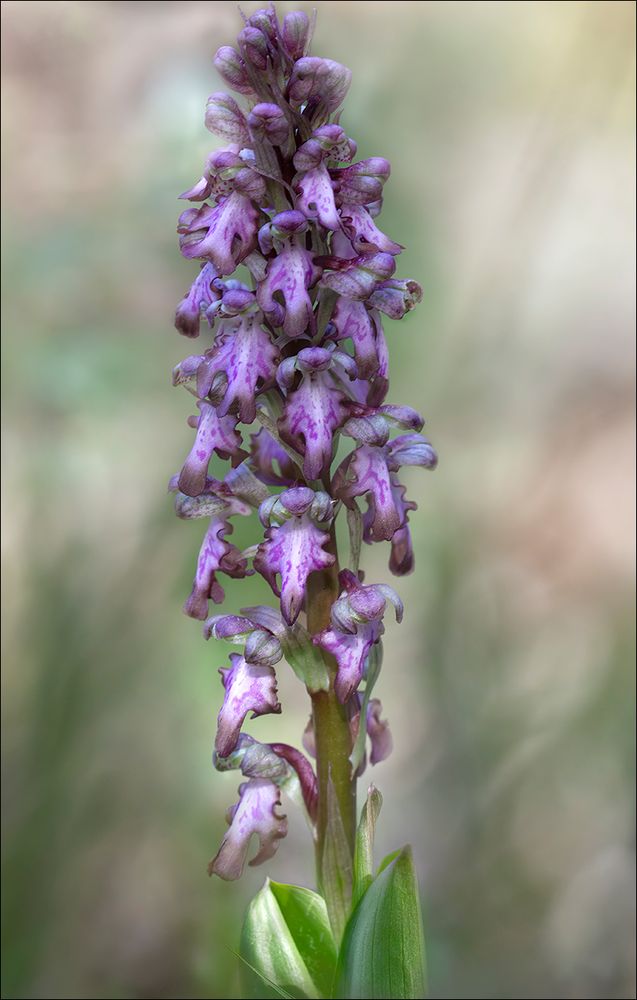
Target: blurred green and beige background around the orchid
509 685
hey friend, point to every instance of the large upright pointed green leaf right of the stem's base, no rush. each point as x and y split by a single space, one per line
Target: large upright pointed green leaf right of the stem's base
383 950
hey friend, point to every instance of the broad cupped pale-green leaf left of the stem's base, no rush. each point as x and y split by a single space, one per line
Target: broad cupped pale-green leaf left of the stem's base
286 944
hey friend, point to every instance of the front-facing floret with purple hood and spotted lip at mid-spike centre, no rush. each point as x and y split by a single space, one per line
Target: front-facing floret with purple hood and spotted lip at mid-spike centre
316 408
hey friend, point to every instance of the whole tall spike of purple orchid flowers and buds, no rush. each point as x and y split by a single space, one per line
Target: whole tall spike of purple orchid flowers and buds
297 359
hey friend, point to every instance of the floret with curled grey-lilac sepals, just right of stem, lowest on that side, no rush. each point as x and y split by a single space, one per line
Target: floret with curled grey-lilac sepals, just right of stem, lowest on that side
356 625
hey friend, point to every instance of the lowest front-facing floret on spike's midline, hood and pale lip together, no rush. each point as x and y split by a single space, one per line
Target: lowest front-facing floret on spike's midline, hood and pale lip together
292 550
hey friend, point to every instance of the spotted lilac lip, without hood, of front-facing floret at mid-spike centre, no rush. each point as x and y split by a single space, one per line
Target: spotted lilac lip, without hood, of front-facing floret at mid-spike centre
312 413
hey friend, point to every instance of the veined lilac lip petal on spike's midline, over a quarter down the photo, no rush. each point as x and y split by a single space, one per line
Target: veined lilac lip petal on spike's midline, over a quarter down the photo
289 275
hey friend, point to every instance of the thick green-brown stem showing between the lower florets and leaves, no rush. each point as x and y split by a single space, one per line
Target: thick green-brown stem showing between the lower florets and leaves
336 823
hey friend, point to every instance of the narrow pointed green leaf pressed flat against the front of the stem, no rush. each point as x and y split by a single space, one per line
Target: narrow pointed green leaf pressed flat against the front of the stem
336 866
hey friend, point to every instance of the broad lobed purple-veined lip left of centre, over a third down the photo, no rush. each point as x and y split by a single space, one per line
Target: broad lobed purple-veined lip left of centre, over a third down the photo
244 352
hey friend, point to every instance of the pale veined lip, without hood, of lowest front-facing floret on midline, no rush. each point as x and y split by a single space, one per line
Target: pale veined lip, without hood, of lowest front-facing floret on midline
294 550
